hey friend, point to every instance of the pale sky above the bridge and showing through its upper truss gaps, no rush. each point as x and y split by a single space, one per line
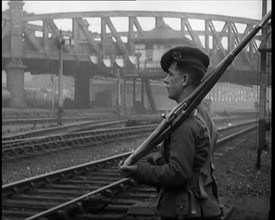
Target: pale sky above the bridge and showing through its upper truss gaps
236 8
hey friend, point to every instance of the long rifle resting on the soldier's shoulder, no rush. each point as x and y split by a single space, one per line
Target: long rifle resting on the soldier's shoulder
180 112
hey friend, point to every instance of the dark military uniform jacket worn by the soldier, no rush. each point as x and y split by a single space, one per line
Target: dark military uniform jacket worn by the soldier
185 152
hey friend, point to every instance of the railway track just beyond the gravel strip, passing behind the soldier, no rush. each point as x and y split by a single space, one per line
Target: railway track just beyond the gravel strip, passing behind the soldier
22 148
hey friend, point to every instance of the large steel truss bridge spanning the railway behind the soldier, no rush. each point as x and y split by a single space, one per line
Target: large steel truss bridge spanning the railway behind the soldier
113 53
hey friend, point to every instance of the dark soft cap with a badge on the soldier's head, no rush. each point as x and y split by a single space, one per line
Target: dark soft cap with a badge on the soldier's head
191 56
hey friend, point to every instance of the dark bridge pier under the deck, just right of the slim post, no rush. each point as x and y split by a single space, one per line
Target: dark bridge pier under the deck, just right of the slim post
82 90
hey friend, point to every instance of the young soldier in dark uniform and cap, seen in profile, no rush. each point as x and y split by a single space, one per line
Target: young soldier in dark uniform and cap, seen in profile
184 170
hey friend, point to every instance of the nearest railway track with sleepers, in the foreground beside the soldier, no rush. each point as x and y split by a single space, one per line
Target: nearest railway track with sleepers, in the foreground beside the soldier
93 190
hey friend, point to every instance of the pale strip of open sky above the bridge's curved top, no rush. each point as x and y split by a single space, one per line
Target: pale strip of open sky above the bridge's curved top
237 8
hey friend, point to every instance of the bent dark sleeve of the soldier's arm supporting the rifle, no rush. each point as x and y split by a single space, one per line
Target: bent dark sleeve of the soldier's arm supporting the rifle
178 170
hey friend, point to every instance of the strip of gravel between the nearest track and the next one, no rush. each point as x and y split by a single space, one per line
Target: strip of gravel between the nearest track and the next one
17 170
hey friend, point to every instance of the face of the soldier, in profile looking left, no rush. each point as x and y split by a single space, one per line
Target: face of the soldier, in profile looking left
174 83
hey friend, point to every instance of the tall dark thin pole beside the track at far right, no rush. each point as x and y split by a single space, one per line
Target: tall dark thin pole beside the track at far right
262 101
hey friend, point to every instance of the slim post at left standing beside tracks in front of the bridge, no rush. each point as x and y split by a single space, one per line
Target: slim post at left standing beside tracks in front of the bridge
60 89
